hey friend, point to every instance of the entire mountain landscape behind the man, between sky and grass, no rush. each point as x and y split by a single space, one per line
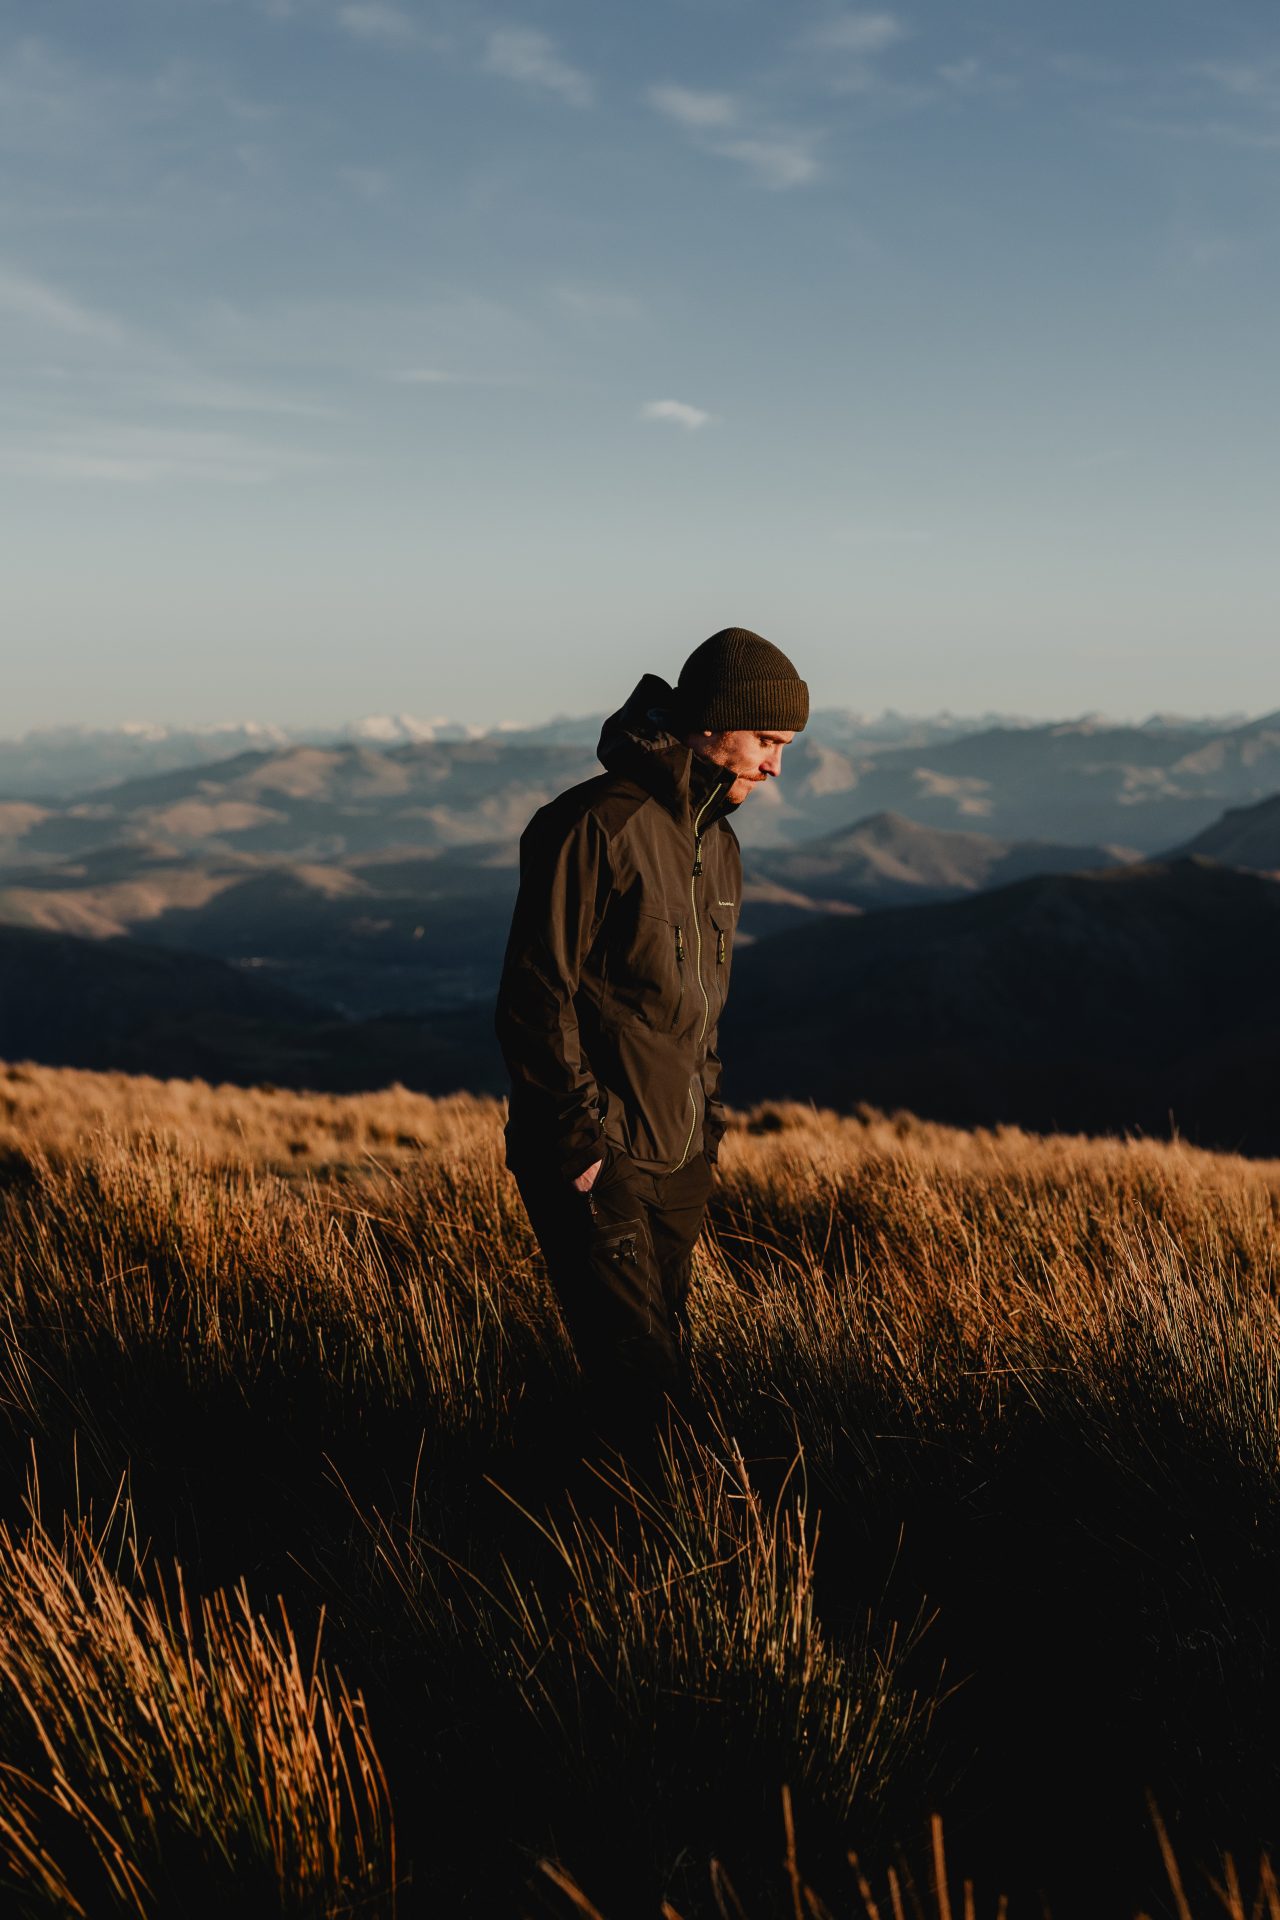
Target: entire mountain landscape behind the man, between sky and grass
335 915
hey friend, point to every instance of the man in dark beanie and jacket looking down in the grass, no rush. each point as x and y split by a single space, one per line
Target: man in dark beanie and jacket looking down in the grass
615 978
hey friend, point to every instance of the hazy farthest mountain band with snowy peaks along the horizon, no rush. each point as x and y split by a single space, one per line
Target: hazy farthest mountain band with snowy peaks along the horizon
1079 782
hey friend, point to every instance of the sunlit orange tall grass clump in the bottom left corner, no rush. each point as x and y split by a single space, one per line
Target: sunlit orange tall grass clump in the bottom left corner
174 1756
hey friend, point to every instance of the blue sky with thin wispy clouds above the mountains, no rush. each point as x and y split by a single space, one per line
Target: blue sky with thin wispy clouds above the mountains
463 360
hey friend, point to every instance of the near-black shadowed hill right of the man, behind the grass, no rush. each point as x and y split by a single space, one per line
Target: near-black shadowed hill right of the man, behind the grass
1091 1003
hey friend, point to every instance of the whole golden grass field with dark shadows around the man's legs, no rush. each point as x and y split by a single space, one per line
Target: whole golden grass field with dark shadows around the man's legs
310 1602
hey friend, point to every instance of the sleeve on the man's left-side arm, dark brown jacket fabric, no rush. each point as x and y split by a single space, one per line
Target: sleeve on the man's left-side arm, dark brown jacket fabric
565 884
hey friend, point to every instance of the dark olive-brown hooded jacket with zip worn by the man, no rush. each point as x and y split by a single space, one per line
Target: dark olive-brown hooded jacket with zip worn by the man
619 957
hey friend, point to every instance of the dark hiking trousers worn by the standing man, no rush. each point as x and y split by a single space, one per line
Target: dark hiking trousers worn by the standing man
619 1260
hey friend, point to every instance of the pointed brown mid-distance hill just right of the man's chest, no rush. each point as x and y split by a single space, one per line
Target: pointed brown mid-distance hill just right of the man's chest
891 861
